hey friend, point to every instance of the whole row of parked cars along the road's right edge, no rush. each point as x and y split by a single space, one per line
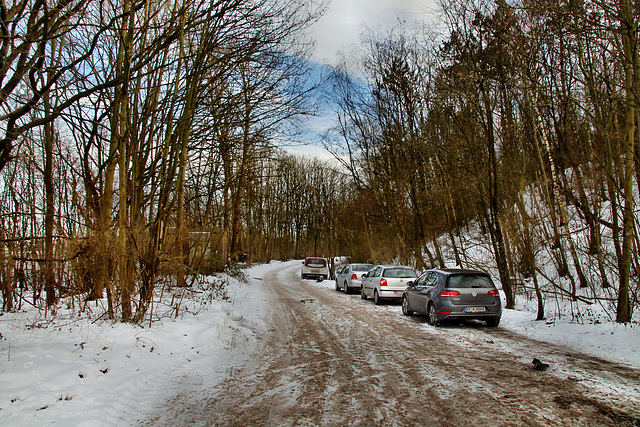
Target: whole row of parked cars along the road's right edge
438 294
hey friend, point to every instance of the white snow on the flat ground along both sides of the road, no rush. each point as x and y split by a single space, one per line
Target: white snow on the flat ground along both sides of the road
80 370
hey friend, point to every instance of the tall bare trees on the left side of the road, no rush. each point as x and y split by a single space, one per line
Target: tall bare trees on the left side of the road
138 144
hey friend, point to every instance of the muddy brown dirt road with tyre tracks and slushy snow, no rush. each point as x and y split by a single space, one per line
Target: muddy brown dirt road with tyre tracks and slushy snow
333 359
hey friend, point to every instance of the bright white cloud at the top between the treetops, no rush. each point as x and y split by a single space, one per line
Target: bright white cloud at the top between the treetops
341 26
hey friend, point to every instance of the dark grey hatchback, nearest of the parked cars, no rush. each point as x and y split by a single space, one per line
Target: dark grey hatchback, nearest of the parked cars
443 294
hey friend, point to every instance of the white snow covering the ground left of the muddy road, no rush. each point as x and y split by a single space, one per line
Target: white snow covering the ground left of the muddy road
81 371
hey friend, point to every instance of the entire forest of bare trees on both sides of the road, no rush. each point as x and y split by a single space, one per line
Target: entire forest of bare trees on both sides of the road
140 143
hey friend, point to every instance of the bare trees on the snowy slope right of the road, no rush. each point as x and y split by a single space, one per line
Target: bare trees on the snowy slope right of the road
522 121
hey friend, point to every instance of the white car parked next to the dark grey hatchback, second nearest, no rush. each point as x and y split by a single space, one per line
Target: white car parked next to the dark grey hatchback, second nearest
386 281
